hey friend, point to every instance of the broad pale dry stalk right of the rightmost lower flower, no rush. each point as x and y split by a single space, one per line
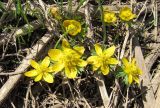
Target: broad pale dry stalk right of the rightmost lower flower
150 99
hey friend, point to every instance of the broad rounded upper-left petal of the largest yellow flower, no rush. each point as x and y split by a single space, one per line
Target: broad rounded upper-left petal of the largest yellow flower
55 54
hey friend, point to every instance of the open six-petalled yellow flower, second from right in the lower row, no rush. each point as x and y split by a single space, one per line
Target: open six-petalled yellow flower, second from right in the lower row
102 59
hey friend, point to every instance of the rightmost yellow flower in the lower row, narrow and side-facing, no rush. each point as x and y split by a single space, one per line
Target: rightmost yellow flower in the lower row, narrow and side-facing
131 70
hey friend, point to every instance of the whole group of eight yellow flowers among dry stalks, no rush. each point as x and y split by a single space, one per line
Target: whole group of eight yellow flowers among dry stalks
69 60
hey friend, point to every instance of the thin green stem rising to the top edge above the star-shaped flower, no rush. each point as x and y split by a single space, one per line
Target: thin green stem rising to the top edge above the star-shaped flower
103 23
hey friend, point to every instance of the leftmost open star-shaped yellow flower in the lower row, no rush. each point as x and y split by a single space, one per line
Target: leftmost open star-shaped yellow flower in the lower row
41 71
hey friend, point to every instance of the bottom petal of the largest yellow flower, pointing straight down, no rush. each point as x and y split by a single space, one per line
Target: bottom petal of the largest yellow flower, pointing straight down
71 72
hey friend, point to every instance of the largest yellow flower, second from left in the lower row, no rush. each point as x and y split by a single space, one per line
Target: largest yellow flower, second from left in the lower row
68 59
